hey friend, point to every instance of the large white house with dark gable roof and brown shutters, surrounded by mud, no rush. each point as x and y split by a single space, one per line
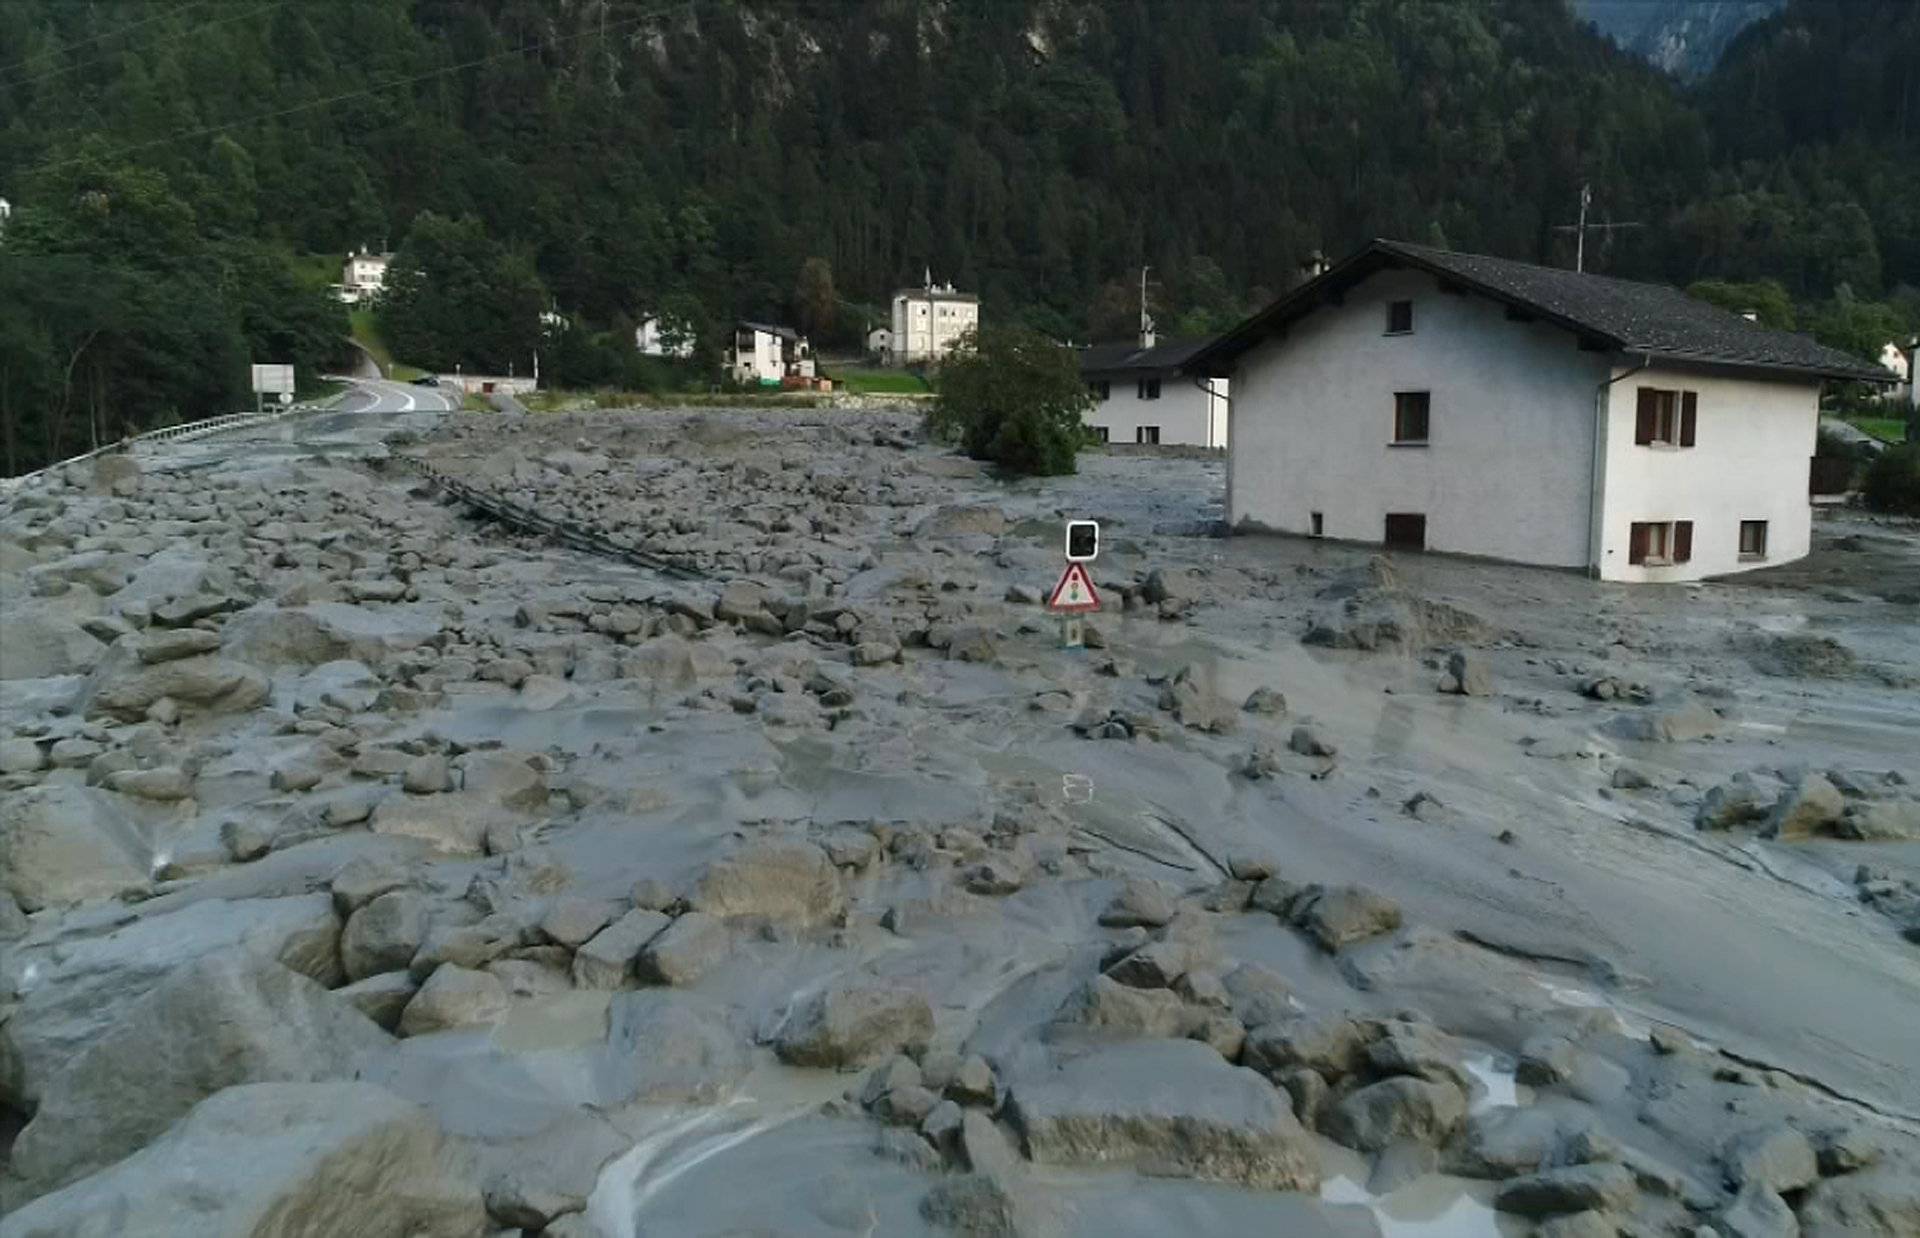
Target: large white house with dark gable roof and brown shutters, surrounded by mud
1477 406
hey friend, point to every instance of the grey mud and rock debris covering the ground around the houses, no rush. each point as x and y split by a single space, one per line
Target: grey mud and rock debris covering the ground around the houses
379 870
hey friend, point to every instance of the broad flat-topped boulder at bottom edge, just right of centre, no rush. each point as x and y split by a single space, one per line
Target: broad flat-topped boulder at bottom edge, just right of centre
1168 1108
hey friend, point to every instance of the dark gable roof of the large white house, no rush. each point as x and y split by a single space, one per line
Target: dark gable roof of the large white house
1602 312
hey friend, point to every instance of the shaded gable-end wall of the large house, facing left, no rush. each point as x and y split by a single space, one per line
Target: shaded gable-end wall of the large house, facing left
1508 464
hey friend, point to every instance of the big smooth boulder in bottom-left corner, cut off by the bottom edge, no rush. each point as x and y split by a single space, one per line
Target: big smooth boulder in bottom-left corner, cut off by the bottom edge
274 1160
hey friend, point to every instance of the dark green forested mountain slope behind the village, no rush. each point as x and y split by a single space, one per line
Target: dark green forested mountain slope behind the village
625 155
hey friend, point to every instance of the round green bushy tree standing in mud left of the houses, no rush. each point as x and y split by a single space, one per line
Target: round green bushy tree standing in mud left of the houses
1015 398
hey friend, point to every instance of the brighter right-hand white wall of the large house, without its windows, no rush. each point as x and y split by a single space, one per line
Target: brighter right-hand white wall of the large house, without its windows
1750 462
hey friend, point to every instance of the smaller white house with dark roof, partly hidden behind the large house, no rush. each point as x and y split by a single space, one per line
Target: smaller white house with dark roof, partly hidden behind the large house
1143 394
